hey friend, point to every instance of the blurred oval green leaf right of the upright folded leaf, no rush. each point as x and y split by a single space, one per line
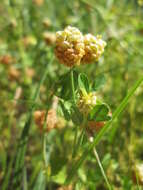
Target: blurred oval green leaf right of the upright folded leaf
99 82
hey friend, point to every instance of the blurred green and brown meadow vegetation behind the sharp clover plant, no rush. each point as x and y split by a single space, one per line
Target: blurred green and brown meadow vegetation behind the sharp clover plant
25 54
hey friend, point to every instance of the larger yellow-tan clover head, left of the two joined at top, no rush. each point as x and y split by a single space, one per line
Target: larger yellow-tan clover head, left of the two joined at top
69 46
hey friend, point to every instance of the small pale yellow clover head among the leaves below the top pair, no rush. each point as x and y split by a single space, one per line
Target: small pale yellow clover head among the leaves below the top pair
86 102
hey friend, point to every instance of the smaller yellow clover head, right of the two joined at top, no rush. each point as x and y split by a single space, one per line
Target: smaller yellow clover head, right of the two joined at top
94 48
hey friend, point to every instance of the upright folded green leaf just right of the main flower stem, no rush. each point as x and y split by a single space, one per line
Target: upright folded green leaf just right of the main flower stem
83 82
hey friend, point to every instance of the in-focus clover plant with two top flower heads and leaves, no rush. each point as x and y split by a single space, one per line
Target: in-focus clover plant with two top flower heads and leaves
73 49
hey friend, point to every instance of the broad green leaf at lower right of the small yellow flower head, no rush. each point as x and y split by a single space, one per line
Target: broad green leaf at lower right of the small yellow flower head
100 113
